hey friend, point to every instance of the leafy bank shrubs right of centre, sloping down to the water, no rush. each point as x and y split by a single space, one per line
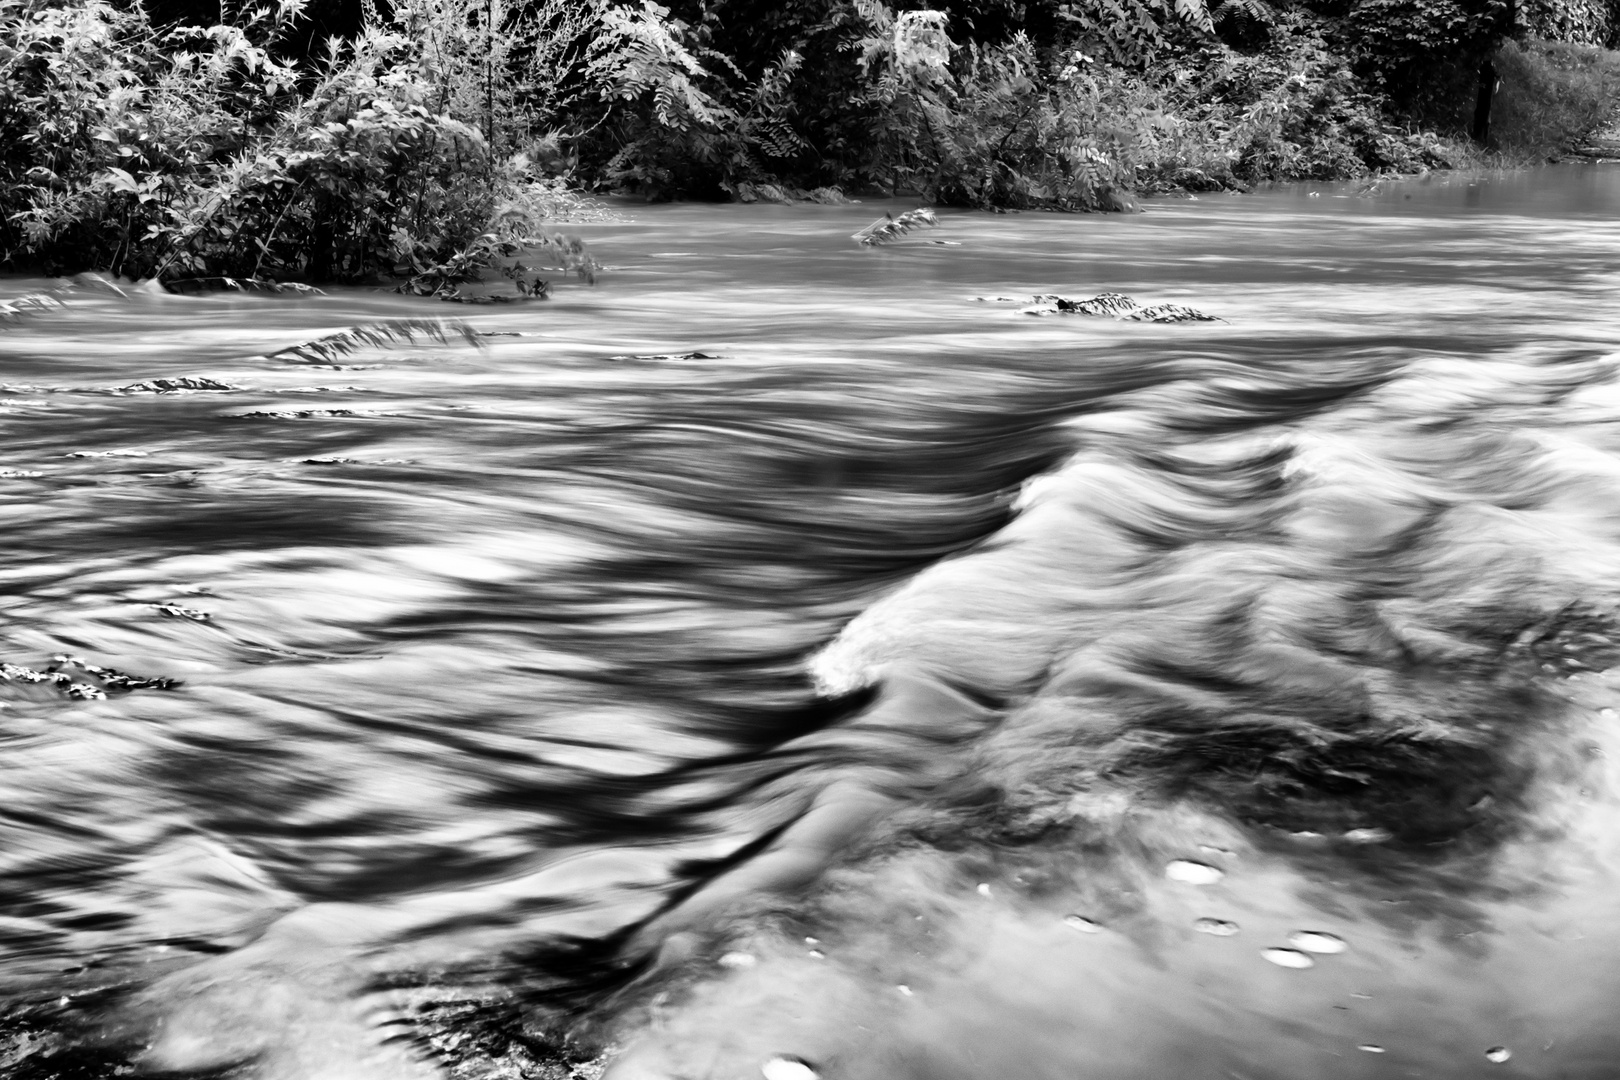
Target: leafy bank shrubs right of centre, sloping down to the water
1070 130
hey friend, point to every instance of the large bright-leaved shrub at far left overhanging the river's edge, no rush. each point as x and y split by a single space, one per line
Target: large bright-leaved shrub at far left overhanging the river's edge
195 151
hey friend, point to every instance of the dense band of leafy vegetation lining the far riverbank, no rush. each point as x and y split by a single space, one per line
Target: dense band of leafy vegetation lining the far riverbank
427 137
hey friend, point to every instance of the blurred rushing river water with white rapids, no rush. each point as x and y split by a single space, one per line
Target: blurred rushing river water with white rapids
777 653
